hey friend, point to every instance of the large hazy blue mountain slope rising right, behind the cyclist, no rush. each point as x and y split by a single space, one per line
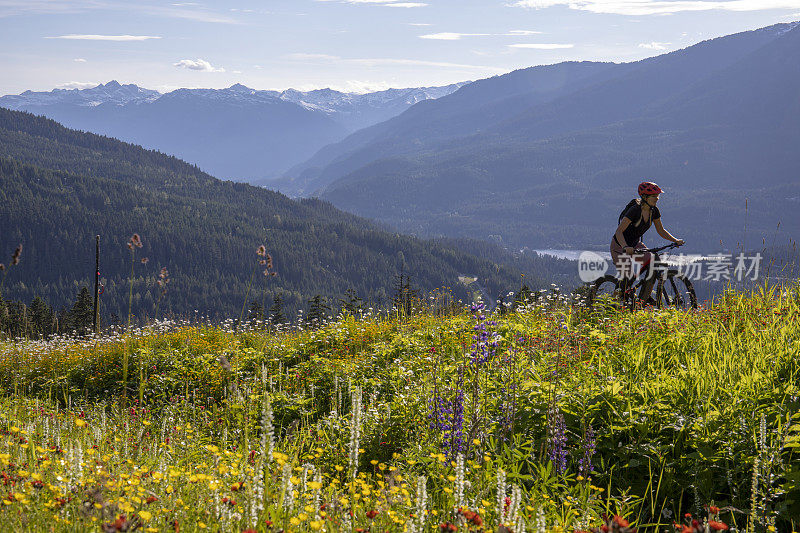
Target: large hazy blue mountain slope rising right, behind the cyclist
547 156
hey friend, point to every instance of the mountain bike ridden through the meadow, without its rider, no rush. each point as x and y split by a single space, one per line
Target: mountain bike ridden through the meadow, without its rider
674 289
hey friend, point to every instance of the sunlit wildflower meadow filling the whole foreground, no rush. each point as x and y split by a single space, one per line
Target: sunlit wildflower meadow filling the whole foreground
548 418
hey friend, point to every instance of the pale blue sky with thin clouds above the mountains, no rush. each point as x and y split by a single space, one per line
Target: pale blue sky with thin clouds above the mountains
348 45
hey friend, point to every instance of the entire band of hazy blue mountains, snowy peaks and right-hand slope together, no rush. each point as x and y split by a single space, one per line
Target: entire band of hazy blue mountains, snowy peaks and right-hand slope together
543 157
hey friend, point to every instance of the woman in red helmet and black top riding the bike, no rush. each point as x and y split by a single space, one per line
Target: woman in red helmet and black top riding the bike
637 218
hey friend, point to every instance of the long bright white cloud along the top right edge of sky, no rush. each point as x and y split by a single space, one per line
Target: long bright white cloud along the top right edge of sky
658 7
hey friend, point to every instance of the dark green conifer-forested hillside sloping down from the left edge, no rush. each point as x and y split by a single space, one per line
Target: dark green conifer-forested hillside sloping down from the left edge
61 187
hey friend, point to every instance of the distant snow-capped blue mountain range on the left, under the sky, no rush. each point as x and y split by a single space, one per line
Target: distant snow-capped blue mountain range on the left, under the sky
236 133
